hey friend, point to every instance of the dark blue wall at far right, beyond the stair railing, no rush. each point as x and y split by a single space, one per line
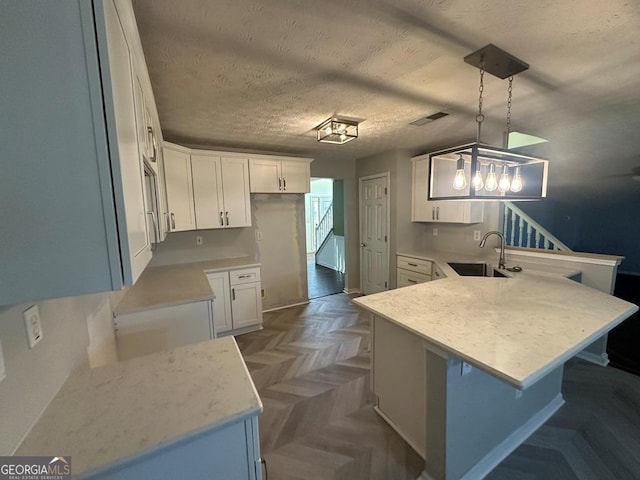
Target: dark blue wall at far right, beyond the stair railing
606 221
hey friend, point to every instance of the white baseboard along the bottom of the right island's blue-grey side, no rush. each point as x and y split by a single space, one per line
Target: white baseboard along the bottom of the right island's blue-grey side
513 441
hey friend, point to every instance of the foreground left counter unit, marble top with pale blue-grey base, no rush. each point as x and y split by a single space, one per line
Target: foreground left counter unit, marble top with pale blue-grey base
185 413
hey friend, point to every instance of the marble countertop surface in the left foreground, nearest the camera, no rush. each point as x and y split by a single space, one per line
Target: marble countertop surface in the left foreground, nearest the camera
108 415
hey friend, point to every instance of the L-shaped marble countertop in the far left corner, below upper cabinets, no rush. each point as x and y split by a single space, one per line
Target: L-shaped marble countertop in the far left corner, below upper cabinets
175 284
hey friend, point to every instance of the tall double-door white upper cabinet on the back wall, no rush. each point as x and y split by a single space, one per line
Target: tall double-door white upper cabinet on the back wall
220 191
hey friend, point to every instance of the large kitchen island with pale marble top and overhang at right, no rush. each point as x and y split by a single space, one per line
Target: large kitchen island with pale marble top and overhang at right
466 368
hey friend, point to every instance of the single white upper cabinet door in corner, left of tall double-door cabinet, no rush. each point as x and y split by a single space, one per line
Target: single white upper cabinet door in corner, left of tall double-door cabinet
179 185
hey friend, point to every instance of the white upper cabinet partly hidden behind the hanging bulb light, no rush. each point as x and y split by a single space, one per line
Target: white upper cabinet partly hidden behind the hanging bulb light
440 211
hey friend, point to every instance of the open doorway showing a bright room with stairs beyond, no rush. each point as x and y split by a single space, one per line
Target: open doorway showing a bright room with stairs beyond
324 214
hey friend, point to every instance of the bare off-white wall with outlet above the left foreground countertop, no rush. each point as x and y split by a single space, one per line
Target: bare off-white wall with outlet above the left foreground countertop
77 332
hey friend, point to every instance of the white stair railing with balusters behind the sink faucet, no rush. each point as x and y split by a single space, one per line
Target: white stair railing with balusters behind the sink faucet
520 230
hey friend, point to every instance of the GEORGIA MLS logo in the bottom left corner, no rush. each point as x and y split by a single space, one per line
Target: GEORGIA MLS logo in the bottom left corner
35 468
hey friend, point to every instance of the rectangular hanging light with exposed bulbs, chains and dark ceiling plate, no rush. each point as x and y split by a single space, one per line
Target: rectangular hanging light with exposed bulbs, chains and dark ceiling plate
449 167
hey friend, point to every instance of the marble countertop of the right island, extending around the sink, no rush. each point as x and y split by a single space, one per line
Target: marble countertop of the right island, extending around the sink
517 329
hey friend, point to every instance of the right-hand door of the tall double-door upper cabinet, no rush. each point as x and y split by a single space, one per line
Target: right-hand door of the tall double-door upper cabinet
235 187
